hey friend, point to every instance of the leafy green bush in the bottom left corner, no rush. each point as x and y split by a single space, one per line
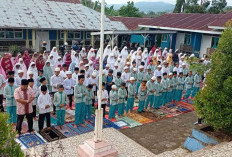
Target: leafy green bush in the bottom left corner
8 146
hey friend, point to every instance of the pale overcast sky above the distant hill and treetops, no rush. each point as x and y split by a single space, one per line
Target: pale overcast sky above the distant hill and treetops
229 2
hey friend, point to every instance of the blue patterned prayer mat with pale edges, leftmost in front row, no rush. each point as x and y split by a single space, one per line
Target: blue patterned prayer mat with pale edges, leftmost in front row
30 140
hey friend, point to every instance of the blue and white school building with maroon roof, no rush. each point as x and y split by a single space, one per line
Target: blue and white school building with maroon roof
192 33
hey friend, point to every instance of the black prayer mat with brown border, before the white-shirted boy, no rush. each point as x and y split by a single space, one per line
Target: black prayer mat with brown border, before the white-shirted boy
51 134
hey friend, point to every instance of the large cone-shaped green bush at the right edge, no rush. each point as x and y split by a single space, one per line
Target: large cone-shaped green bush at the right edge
213 103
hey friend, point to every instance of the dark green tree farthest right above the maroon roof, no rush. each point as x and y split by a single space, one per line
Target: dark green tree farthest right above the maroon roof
217 6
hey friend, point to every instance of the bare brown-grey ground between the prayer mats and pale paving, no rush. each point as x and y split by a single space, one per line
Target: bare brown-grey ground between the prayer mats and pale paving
164 135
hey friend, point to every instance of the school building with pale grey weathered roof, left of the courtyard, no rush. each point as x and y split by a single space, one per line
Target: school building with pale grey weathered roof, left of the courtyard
28 23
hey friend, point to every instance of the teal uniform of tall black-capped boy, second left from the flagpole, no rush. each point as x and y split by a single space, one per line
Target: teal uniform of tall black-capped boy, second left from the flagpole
79 91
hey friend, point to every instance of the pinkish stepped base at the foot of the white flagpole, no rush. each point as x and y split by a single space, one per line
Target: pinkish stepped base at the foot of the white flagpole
96 149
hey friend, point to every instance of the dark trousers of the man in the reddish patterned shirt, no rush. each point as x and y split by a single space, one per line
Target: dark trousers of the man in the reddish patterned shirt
20 121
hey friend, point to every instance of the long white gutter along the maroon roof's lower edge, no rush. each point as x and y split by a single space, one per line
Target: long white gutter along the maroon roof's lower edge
180 29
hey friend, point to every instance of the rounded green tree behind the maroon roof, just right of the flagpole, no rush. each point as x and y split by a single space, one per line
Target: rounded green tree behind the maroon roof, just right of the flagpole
129 10
